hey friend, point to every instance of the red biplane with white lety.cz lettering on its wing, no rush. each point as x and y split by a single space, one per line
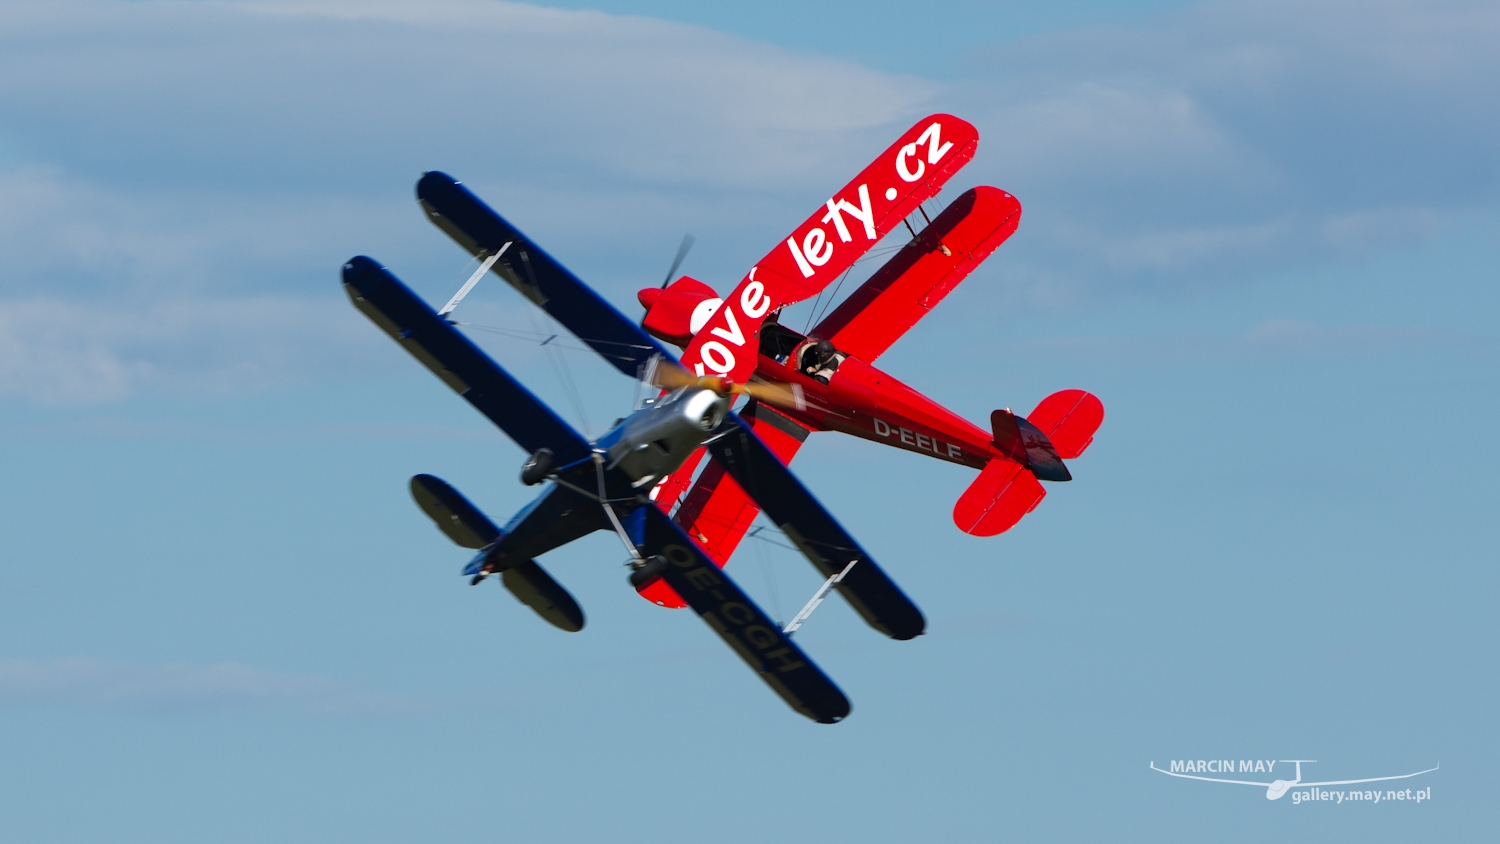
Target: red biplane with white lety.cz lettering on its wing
830 371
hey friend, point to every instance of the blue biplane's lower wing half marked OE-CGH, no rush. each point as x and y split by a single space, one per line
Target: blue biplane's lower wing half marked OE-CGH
742 624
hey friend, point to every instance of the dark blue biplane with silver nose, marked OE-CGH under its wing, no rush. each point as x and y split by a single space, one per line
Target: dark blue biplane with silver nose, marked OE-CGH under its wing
605 485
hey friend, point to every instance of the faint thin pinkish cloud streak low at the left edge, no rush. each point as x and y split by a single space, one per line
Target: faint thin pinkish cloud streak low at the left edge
184 690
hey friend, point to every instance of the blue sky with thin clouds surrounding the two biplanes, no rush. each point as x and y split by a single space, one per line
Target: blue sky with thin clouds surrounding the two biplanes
1264 233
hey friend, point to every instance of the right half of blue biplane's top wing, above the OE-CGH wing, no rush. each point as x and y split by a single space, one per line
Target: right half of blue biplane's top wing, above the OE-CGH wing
814 530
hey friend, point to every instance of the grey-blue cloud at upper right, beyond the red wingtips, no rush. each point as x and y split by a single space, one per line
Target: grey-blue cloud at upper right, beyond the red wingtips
1234 139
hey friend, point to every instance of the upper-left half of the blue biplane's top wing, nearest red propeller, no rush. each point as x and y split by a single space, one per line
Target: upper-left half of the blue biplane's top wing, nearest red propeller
478 229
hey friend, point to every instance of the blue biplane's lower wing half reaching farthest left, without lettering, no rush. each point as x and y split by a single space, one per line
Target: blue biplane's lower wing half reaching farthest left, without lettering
458 362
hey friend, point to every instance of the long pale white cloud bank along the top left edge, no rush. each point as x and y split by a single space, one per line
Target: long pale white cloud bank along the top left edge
341 91
